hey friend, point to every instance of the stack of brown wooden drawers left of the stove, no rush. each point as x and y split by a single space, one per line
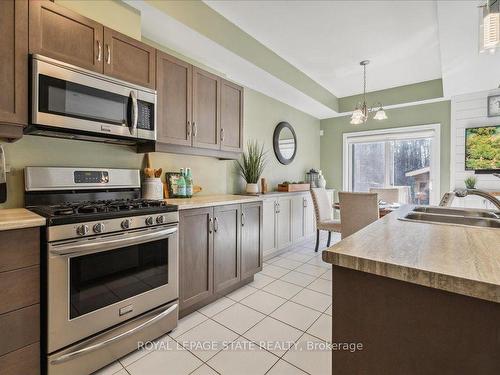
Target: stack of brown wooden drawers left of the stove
19 302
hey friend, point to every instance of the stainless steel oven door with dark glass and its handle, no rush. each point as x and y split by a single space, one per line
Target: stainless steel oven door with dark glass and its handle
96 283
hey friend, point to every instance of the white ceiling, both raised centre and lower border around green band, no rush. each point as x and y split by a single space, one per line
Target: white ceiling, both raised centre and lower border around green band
407 42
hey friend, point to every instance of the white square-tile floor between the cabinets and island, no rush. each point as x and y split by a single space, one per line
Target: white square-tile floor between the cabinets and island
288 305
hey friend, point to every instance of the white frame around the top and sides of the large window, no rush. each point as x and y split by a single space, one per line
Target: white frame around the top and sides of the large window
382 135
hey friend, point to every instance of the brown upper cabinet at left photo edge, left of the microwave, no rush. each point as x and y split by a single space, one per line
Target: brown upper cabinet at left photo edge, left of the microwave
13 68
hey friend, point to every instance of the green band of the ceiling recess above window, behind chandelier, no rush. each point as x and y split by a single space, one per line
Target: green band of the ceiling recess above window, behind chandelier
396 95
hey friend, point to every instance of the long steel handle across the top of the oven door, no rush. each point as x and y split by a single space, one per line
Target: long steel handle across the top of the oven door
92 246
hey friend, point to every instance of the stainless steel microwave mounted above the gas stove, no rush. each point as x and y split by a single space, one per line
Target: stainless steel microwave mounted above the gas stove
70 102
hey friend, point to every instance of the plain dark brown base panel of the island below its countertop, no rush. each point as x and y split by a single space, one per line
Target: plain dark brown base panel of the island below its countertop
407 328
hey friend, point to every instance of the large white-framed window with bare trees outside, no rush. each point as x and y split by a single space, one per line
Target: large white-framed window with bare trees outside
403 158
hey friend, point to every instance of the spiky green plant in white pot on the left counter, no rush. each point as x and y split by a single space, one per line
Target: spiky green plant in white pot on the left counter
252 165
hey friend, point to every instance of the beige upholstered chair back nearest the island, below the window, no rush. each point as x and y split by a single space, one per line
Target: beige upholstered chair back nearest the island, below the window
357 210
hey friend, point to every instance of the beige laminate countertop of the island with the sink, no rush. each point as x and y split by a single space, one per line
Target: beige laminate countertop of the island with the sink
458 259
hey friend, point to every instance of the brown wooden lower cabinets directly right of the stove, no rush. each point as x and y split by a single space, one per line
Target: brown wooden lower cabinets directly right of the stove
218 252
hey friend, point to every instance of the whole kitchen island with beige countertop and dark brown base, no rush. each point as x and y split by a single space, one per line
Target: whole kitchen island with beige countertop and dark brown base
420 298
